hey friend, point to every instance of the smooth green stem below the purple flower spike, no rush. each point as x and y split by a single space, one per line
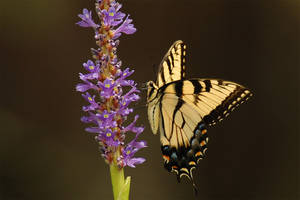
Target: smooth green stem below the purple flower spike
120 186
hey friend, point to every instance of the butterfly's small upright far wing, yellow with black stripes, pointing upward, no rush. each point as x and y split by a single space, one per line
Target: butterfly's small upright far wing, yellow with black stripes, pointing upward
172 67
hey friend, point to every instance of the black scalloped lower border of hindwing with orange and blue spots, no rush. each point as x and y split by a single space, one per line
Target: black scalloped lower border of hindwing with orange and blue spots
184 159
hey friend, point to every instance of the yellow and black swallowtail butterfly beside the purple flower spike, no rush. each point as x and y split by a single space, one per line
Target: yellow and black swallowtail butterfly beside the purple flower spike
182 110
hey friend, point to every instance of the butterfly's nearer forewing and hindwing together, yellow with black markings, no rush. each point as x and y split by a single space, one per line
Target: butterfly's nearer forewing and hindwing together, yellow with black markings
186 109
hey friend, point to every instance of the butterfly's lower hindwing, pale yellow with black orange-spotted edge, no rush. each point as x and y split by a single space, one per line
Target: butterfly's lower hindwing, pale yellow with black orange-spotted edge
183 138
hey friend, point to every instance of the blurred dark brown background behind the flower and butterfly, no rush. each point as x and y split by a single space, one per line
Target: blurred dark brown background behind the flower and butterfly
45 152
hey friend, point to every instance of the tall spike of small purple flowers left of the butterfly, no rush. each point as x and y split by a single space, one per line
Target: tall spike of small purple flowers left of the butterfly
103 85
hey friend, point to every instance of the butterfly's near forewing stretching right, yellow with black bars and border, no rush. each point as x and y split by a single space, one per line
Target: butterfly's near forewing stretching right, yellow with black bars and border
215 98
